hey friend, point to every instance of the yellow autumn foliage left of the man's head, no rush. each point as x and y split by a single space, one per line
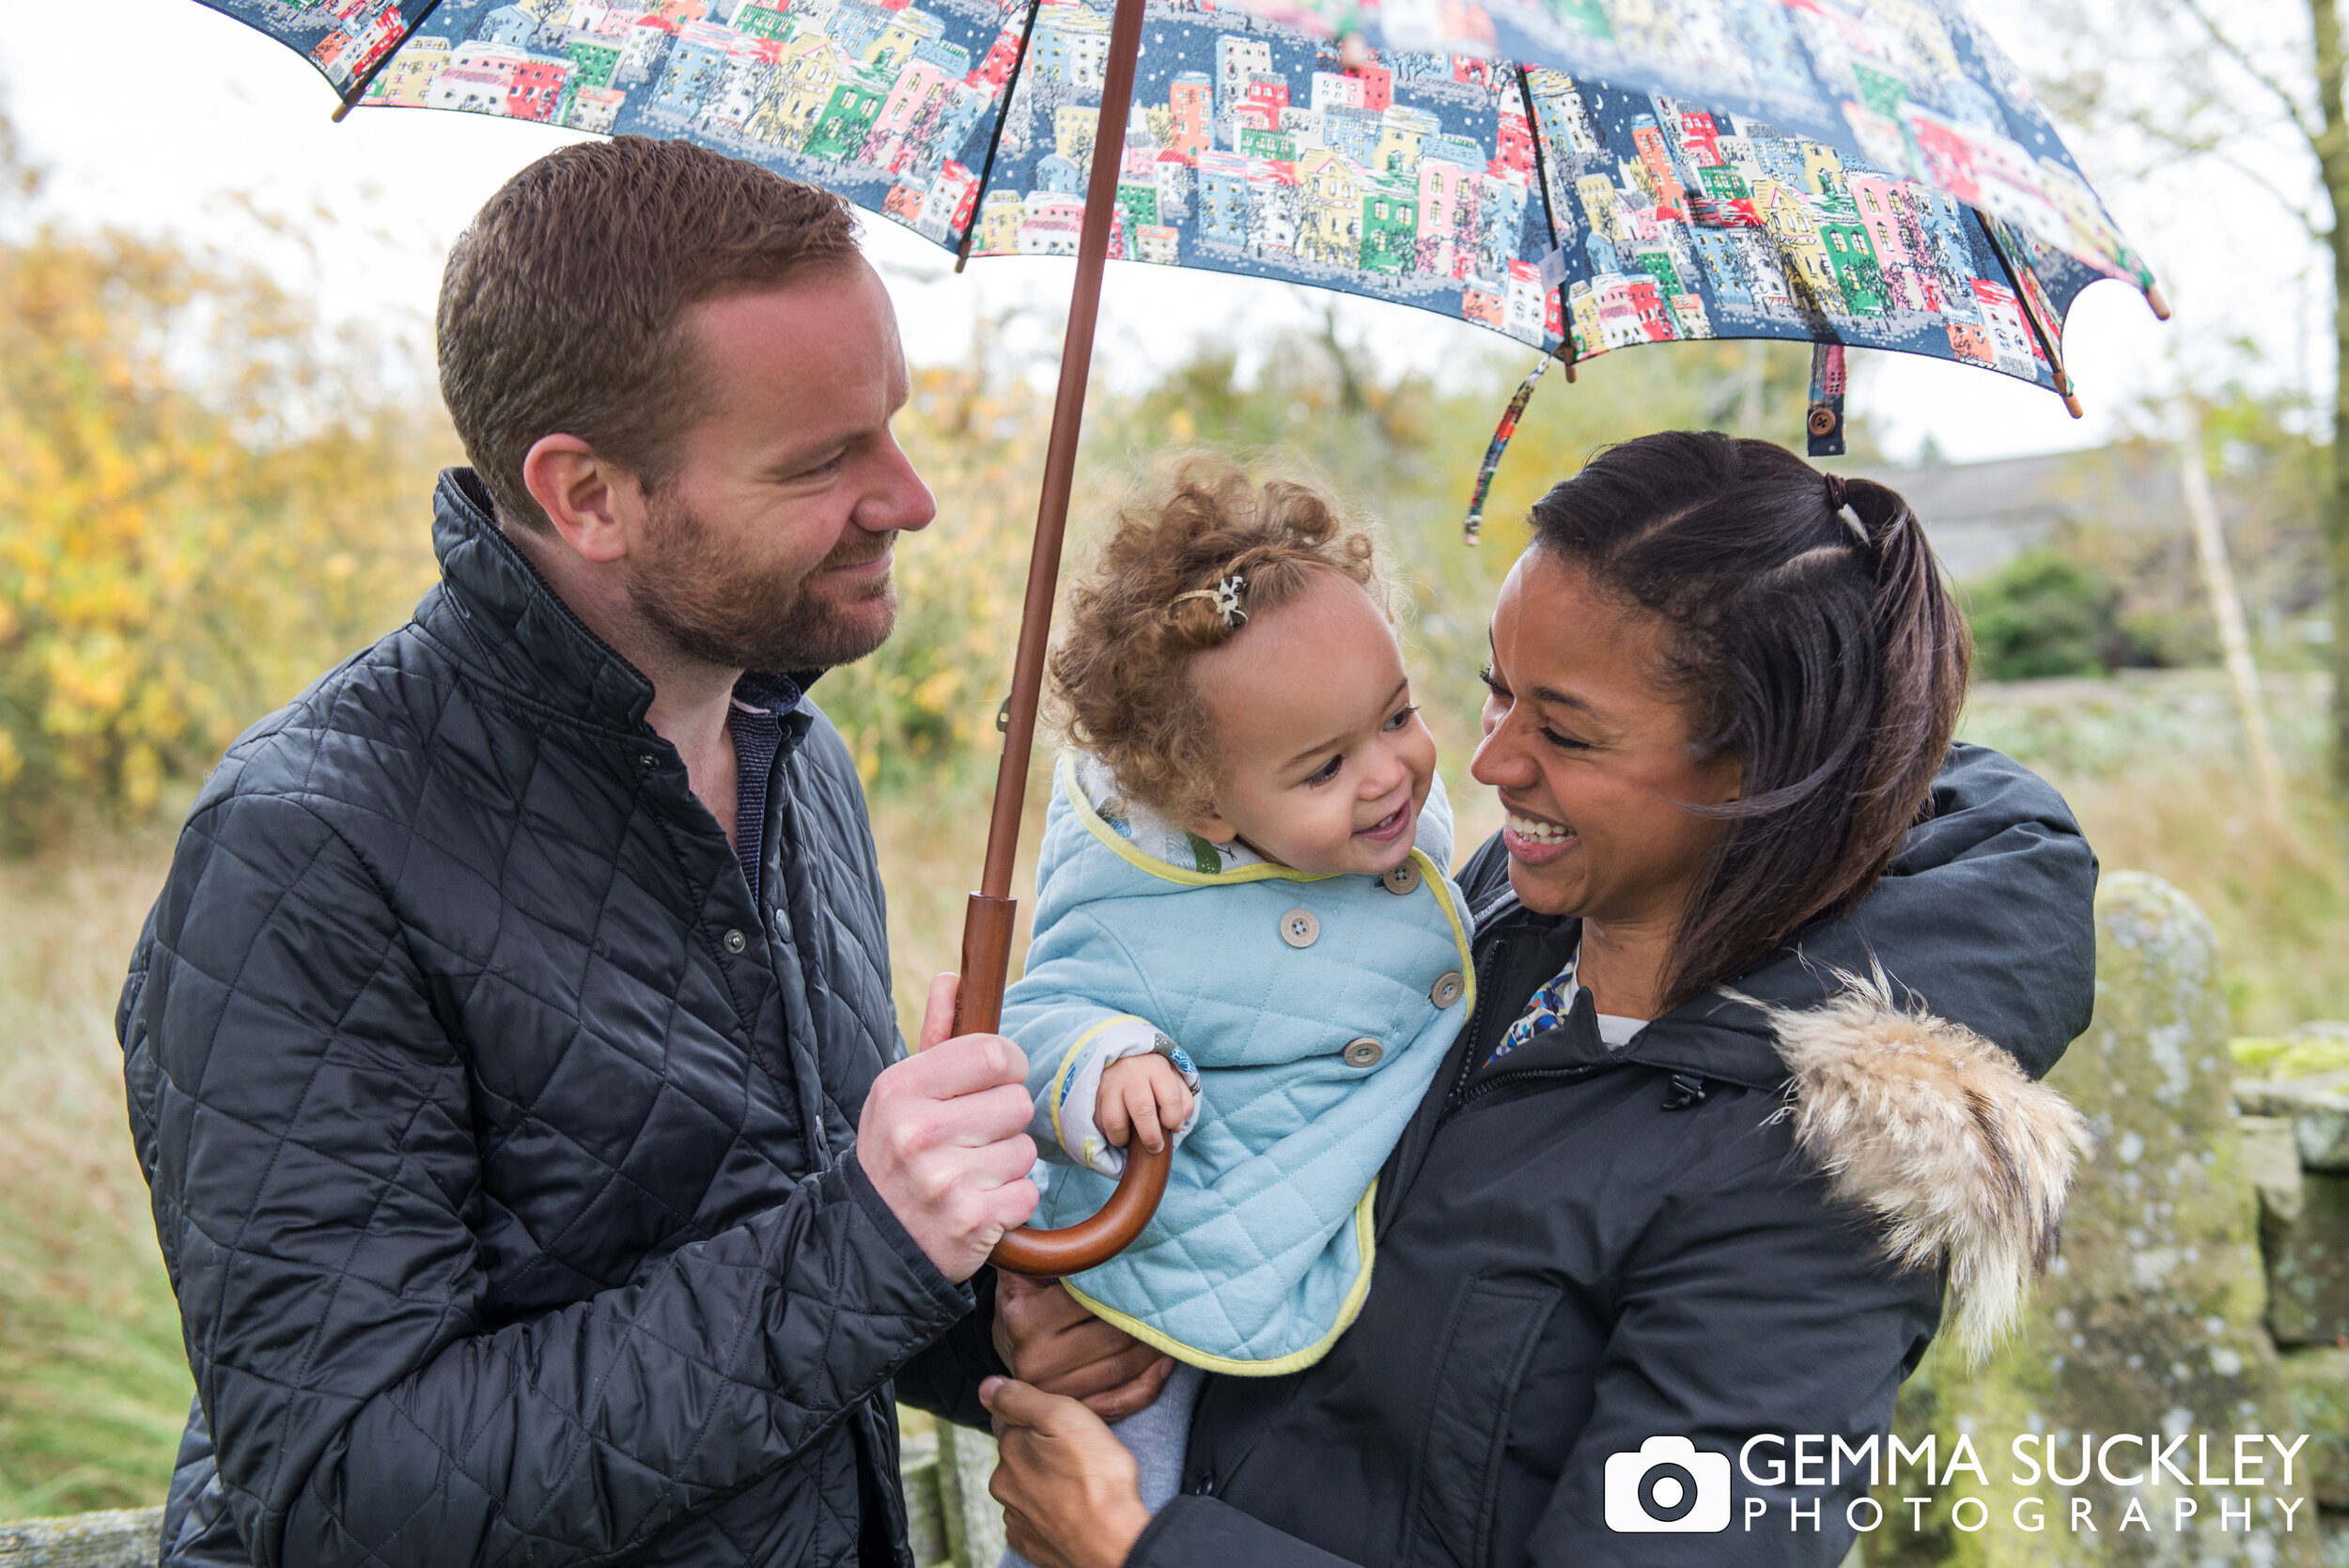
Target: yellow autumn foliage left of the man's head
203 503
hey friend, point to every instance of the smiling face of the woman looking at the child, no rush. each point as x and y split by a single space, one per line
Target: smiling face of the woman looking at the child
1591 755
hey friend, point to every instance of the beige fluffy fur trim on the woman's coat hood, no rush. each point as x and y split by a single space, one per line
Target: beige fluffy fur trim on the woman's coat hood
1941 1137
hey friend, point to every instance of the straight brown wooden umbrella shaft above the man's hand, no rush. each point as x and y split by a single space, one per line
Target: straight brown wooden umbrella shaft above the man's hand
988 924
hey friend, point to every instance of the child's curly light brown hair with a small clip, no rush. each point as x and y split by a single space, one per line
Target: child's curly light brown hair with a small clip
1122 673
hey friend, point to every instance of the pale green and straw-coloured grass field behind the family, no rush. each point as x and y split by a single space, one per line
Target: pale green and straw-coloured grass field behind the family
93 1386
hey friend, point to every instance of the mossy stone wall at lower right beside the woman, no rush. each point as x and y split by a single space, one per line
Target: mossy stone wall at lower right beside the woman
2200 1295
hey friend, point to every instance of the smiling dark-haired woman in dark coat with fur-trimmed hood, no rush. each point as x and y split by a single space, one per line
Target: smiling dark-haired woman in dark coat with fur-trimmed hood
1732 1107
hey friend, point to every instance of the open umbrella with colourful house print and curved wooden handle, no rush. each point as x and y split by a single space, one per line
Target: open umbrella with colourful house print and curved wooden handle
1575 175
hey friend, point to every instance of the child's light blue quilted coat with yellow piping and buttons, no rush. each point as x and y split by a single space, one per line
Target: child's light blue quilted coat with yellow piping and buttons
1314 1043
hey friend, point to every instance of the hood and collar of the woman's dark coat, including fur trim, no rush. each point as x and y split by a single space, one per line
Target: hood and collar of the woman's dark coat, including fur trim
1904 1043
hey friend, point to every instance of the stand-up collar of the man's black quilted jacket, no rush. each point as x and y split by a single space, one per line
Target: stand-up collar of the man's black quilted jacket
513 628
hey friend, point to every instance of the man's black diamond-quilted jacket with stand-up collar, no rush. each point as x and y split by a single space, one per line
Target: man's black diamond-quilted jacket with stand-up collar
499 1140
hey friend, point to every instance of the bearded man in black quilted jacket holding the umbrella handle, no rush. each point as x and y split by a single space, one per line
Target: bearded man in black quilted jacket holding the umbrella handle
511 1048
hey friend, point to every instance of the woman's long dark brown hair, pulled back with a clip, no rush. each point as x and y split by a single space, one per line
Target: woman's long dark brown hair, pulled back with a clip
1826 658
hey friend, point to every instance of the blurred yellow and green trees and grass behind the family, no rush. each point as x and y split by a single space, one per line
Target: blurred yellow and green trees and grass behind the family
208 499
